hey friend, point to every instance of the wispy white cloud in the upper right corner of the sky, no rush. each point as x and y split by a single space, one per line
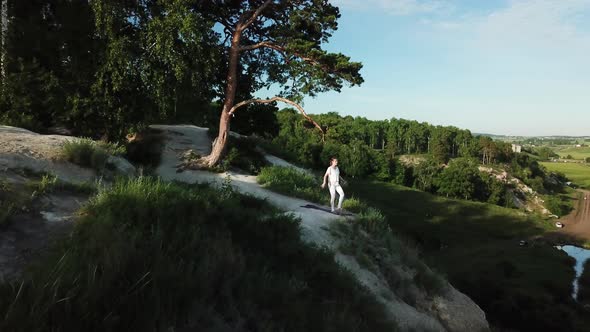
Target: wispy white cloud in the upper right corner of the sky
529 26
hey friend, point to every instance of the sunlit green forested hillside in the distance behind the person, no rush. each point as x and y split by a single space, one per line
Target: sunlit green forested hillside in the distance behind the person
443 160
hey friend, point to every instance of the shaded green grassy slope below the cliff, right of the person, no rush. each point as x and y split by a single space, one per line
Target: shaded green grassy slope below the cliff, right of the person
476 245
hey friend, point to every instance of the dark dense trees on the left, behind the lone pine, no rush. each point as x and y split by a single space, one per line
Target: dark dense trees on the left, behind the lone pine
107 68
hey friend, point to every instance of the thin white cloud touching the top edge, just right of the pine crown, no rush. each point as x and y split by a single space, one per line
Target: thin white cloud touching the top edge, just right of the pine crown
397 7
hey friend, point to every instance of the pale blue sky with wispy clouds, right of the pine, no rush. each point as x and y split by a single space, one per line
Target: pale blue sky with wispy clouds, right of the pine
514 67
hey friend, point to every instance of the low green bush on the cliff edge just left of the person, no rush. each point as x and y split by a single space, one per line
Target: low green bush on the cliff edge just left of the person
289 181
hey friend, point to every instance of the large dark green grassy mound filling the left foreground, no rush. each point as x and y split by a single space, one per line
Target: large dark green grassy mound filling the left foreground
153 256
